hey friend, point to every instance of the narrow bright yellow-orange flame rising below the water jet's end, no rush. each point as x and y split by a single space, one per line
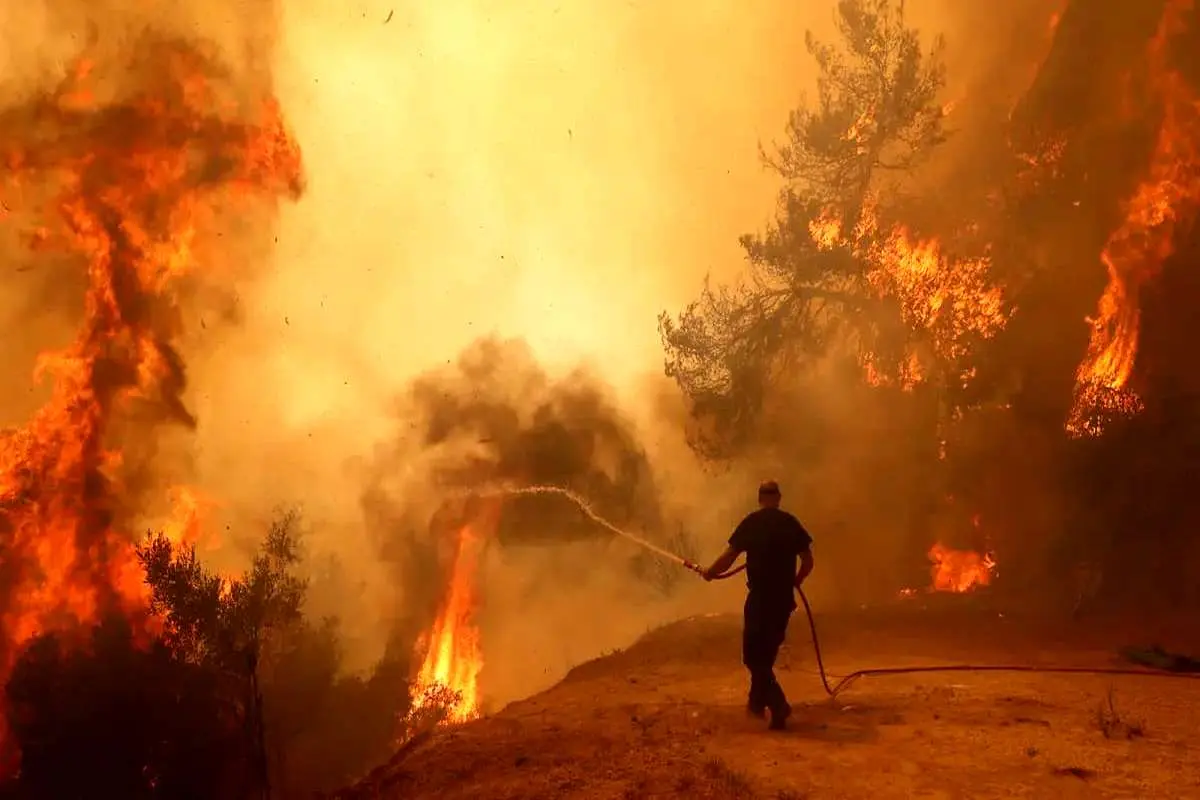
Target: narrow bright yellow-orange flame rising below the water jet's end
453 657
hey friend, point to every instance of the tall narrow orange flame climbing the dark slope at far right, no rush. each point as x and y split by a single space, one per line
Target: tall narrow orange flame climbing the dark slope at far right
1135 254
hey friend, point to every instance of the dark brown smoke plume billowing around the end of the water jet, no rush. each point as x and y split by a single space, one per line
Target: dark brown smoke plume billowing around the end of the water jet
497 419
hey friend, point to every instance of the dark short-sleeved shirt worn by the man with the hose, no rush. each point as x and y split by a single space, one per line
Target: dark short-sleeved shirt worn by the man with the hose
772 540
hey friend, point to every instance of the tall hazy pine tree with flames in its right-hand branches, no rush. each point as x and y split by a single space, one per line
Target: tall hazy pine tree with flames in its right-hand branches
829 270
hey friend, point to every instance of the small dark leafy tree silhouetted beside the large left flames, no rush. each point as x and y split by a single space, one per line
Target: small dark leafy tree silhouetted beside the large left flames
305 726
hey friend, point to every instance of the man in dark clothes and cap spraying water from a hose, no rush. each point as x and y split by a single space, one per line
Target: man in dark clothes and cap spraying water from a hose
773 542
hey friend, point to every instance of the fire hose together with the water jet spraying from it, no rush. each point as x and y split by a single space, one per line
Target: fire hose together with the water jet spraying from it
844 682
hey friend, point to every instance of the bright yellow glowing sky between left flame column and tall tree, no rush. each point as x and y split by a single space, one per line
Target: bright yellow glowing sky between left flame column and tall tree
556 173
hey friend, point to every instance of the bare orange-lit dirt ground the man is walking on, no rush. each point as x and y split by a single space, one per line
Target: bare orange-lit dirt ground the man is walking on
665 719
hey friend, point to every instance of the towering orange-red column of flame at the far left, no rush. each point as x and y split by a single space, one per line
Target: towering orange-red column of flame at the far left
127 191
